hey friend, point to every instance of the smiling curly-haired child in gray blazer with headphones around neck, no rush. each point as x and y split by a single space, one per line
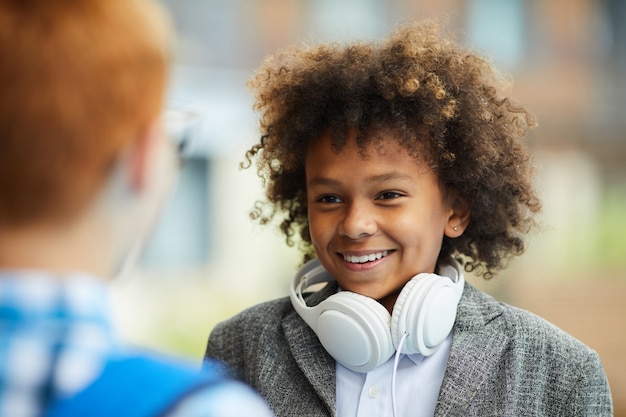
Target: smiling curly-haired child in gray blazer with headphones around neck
400 164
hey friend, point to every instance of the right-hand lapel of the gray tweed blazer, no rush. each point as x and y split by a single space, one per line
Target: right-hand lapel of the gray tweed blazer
475 352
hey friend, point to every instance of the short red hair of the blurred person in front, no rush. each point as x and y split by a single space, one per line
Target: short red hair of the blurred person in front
78 80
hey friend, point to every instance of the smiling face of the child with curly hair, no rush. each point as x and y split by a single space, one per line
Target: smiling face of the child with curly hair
376 218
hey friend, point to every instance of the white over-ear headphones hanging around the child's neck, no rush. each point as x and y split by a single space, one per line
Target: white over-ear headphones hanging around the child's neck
359 333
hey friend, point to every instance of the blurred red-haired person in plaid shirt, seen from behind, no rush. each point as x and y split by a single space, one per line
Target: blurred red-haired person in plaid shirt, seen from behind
85 167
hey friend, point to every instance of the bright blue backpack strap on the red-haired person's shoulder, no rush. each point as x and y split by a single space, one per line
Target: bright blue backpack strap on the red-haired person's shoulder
139 386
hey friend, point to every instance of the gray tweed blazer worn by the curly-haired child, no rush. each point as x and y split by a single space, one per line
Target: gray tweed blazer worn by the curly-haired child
503 362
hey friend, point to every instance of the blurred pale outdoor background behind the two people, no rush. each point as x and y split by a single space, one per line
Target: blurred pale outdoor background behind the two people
208 260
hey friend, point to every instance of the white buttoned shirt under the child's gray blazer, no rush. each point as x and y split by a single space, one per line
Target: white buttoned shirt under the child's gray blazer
418 381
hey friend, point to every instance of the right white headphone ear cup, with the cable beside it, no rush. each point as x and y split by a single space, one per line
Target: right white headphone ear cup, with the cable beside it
426 311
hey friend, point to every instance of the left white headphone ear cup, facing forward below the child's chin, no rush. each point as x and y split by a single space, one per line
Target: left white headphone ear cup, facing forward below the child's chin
354 330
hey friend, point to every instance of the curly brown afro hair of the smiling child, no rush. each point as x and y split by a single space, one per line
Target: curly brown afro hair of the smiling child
443 104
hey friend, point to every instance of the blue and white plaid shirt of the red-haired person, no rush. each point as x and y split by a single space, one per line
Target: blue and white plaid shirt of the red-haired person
55 338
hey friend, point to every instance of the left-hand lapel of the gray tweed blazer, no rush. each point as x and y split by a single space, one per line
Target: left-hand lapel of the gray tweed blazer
316 364
